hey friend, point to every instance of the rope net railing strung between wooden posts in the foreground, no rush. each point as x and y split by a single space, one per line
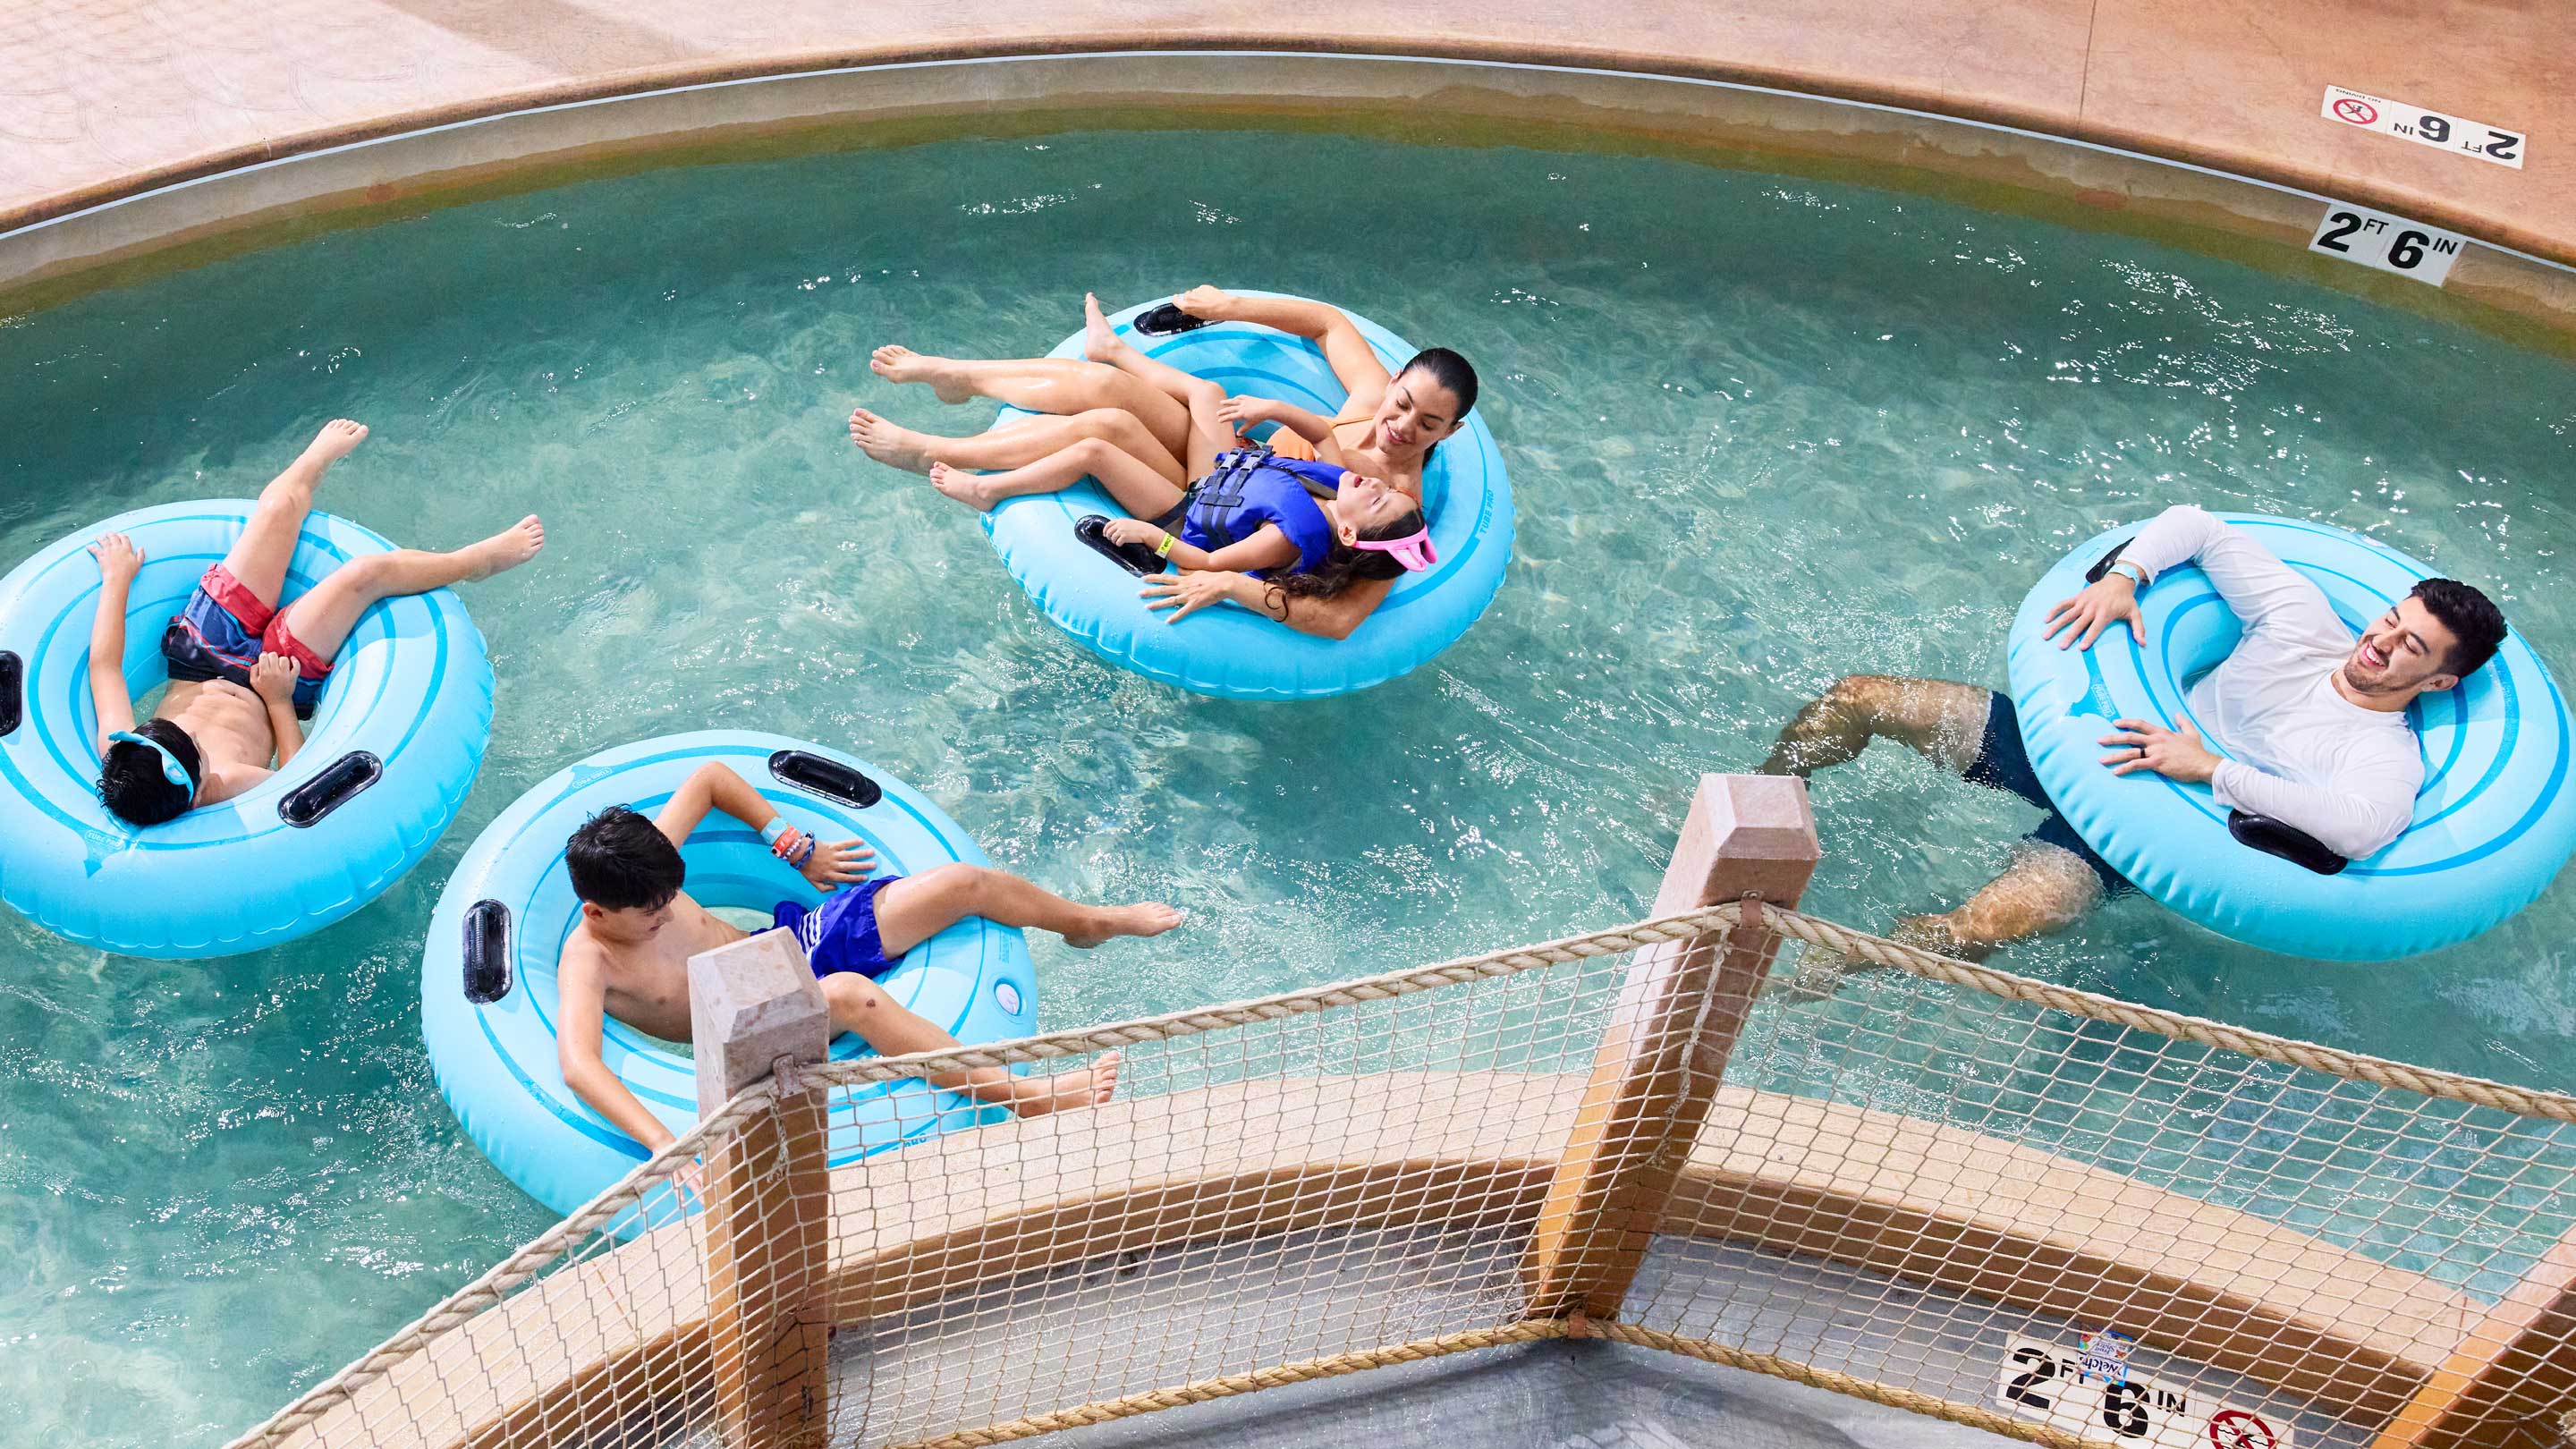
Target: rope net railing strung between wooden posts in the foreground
1941 1187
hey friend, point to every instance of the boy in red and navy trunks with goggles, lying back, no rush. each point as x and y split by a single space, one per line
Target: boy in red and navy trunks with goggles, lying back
246 666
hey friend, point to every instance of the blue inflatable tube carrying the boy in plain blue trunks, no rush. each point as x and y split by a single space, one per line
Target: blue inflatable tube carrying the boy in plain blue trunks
488 997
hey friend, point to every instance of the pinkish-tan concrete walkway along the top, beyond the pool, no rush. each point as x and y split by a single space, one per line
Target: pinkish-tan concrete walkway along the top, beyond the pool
102 99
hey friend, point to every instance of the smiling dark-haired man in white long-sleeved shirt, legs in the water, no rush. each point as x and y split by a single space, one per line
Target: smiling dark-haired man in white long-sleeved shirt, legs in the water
2315 718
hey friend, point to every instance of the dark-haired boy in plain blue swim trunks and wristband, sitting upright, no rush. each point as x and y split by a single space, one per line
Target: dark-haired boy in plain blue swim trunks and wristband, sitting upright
630 955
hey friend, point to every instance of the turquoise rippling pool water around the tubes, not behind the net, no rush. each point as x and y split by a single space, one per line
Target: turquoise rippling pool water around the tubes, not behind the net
1763 432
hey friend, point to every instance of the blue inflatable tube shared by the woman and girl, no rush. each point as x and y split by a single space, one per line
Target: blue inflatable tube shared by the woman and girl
1233 651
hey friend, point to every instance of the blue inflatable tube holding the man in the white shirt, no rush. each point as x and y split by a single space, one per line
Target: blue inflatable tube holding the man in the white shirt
2492 824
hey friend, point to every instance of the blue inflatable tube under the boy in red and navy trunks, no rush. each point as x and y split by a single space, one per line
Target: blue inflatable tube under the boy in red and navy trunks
388 757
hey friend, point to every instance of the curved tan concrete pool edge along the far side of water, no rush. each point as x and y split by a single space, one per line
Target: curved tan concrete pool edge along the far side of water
398 166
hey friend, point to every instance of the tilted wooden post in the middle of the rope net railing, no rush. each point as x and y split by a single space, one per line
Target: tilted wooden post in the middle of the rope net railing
1658 1069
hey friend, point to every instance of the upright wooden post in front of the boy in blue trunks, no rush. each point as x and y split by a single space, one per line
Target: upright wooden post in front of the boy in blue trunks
759 1009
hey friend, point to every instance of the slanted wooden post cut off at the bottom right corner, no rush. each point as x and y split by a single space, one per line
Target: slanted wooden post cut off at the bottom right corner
2510 1378
